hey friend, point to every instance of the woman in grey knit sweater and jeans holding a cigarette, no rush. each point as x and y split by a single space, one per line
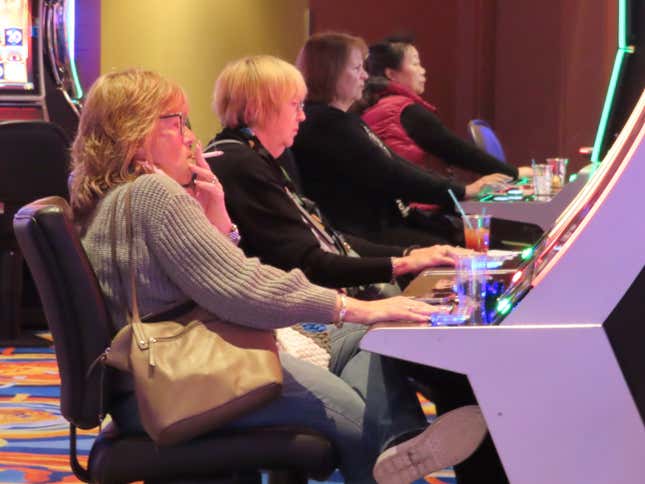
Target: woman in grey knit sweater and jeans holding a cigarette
134 137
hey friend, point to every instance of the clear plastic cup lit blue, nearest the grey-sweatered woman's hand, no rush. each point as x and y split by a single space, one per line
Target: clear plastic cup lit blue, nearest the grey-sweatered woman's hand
470 286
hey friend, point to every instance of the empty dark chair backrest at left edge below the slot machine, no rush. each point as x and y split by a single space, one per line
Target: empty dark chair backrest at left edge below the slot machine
34 163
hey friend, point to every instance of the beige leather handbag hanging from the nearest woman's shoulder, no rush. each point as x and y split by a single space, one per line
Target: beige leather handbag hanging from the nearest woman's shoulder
193 374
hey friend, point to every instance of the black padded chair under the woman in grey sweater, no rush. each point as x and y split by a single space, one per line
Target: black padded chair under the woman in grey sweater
80 324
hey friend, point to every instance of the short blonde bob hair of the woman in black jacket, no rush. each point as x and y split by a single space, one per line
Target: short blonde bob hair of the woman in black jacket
251 90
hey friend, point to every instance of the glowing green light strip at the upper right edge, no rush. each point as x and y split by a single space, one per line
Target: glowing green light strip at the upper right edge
621 52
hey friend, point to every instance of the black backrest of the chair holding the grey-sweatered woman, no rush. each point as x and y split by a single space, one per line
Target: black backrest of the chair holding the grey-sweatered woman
73 303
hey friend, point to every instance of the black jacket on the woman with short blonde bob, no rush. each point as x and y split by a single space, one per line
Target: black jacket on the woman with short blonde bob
272 227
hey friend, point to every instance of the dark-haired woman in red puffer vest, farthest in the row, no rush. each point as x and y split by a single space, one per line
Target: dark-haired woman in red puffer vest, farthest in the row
393 108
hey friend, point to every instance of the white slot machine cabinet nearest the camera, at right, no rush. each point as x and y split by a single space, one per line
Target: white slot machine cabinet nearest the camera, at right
560 374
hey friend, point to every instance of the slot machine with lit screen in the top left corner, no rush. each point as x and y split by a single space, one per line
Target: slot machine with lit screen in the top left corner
38 77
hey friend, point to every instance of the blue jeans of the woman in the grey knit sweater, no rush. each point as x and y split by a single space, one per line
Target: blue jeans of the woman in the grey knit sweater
333 404
